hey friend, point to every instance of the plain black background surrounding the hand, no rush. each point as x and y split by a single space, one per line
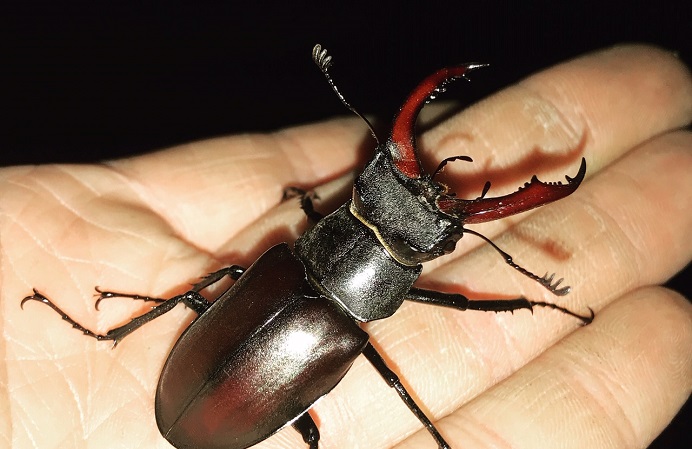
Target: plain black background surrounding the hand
82 83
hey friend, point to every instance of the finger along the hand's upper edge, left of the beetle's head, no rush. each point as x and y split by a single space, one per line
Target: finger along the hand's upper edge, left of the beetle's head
210 190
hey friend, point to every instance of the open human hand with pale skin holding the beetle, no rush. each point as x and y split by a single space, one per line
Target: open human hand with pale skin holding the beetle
153 223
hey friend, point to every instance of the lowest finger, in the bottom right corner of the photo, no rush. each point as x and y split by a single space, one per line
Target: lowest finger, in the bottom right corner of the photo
616 383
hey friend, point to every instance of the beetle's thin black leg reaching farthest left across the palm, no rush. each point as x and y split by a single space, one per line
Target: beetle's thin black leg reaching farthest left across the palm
193 299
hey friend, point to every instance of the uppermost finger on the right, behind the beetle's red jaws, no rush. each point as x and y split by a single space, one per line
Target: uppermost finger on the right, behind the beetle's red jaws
599 106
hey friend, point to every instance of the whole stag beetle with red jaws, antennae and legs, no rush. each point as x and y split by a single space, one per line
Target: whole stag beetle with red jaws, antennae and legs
286 332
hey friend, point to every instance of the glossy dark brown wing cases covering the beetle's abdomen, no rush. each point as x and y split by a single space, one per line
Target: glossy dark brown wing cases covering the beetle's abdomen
258 358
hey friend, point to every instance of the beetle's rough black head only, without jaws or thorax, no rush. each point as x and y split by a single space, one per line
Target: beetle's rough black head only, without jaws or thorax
402 212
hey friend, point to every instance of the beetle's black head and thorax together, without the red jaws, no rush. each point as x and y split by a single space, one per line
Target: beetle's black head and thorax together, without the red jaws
367 254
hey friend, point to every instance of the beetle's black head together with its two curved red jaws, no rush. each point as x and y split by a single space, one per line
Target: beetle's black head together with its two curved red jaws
411 214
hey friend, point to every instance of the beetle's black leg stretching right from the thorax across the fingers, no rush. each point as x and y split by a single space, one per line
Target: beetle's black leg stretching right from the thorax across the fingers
461 302
